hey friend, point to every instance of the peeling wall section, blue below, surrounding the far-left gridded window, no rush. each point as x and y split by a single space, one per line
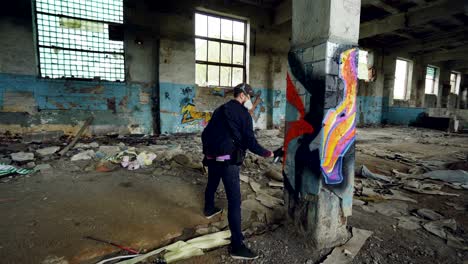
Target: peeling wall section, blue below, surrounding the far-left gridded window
31 104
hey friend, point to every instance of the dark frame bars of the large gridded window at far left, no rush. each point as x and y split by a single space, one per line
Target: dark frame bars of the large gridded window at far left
38 46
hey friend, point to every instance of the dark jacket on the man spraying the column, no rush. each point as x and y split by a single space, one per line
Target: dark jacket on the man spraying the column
230 127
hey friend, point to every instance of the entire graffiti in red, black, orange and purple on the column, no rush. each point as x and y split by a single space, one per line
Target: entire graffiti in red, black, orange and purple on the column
320 121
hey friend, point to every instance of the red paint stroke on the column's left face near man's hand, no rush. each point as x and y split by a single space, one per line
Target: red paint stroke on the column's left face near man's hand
295 128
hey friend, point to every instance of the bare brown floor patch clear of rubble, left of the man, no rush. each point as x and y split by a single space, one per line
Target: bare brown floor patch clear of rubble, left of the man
52 212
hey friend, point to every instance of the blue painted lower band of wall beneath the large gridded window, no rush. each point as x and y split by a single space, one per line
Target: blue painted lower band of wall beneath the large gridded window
69 102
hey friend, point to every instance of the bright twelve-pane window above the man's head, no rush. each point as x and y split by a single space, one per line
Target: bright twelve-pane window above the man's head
220 51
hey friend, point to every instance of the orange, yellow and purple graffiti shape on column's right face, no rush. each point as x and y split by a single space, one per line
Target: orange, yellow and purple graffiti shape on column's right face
339 124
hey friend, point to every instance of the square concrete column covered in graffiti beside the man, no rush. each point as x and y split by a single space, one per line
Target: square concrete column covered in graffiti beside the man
320 118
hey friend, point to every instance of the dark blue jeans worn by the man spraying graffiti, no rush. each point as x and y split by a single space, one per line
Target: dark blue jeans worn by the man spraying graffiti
230 175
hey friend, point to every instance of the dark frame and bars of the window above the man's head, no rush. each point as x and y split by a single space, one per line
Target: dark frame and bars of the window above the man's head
220 41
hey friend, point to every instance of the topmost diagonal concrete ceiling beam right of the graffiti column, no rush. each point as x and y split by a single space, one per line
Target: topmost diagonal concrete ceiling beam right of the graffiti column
411 18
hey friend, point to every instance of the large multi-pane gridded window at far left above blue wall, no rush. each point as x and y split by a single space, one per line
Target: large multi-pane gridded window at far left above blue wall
80 39
